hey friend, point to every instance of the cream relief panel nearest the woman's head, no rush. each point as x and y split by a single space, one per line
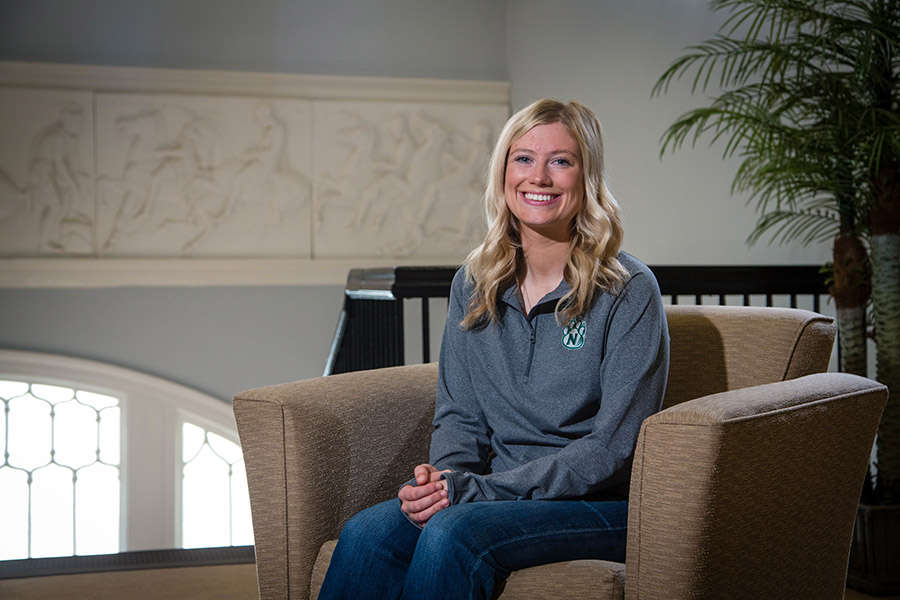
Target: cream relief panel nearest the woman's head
400 180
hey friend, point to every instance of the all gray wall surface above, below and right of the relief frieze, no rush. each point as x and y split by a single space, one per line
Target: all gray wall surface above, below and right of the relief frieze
222 340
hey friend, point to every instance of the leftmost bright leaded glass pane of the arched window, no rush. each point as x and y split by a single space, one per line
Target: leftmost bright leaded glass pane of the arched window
60 473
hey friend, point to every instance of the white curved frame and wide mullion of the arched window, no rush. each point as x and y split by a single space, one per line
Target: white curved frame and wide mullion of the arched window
152 410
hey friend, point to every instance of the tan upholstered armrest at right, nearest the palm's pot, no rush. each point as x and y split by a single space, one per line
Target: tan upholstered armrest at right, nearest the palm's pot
751 493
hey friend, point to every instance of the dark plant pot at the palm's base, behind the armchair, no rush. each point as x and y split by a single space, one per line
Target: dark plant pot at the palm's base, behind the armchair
875 550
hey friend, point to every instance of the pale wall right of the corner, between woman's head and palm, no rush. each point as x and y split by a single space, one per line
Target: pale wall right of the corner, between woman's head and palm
608 54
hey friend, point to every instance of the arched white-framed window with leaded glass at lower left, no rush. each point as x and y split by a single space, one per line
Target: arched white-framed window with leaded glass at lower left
99 459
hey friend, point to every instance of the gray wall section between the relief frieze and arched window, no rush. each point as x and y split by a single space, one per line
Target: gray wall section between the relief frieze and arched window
218 340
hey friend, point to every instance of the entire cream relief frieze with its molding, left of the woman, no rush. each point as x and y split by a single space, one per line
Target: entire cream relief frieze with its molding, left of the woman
157 164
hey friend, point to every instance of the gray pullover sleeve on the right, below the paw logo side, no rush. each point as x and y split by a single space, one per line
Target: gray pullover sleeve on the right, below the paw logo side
633 376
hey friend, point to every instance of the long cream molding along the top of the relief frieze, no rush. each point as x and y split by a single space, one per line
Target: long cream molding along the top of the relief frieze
196 81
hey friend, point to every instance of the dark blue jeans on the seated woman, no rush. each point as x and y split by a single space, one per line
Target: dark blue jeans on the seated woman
467 550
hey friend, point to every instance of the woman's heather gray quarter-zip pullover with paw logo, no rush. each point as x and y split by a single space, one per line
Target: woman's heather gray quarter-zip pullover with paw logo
534 409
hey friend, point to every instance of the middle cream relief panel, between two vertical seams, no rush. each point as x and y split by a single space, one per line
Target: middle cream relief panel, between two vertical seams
202 176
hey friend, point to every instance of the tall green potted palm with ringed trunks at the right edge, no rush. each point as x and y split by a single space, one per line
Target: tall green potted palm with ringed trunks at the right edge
809 101
